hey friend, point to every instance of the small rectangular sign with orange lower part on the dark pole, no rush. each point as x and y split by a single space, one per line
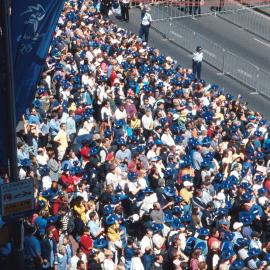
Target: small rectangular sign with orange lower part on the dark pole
17 199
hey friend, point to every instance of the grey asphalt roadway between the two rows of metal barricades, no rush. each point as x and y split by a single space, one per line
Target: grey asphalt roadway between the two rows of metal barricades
232 38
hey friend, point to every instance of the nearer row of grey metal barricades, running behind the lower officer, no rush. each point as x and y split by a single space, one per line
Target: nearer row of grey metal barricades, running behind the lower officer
225 61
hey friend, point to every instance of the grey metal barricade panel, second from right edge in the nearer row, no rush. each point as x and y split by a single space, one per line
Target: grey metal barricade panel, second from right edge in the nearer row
241 69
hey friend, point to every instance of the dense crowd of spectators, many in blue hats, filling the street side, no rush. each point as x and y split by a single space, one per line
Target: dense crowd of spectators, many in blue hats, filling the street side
136 163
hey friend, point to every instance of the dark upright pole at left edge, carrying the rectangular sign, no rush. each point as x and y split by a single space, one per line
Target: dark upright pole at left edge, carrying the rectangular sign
17 261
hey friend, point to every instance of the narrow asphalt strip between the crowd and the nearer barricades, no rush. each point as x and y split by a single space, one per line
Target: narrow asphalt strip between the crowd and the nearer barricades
210 74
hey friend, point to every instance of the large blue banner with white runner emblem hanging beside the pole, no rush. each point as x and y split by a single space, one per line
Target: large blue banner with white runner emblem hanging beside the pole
32 24
